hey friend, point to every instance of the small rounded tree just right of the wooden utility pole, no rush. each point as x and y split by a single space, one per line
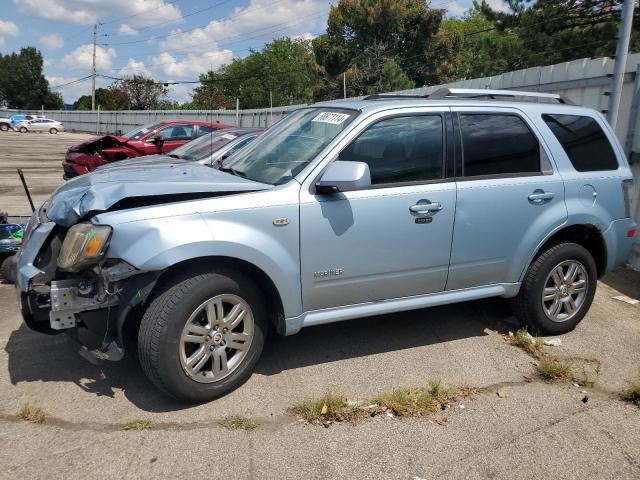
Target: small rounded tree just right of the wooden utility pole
136 93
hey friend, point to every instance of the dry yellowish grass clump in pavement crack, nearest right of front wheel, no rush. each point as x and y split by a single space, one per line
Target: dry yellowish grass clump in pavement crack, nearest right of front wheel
330 408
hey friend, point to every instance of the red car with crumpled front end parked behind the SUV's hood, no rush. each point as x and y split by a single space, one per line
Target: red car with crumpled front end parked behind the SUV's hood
159 137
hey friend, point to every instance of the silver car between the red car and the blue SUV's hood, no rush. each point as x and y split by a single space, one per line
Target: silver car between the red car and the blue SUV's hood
209 149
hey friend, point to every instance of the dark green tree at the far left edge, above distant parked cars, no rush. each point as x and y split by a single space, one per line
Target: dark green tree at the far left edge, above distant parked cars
22 84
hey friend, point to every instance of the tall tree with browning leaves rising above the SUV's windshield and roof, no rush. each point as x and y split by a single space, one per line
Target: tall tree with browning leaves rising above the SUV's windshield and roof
399 37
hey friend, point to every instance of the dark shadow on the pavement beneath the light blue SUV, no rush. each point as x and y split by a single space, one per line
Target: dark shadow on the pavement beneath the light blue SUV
33 357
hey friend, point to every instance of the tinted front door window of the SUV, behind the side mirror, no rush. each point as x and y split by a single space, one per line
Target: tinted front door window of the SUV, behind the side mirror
401 149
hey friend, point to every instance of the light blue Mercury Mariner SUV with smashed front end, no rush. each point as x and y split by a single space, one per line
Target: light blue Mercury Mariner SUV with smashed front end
341 210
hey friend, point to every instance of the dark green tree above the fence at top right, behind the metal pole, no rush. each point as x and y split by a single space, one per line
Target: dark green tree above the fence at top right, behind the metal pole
555 31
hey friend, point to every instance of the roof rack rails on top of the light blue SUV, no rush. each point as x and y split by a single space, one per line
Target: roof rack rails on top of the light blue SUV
454 93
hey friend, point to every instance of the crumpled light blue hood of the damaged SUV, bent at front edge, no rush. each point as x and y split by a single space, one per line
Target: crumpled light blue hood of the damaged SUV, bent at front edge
101 189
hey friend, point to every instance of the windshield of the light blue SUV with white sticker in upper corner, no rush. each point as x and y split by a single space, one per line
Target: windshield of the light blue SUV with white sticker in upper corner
284 150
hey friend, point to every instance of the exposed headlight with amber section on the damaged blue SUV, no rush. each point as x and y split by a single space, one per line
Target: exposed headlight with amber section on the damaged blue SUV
85 244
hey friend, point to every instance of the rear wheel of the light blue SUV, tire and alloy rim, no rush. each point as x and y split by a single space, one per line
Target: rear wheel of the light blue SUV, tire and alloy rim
570 294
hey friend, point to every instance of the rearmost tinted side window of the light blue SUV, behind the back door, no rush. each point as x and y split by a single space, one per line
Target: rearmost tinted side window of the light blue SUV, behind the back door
584 142
